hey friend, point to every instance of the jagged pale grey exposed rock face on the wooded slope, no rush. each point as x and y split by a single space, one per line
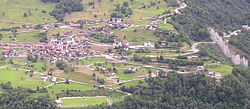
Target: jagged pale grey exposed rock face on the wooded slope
236 59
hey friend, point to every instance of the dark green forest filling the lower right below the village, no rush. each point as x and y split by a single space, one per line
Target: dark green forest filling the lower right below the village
191 91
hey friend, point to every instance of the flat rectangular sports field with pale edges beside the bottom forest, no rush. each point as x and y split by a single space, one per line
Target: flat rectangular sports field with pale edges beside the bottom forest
84 101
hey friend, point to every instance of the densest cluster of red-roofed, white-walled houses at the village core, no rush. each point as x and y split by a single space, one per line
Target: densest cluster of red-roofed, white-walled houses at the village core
68 46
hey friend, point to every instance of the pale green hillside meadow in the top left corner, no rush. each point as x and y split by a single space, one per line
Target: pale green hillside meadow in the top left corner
14 10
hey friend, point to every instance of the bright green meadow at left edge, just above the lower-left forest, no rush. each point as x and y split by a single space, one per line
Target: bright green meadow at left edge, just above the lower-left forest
19 78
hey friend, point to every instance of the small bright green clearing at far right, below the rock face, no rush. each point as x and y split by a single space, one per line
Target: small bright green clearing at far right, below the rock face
223 69
